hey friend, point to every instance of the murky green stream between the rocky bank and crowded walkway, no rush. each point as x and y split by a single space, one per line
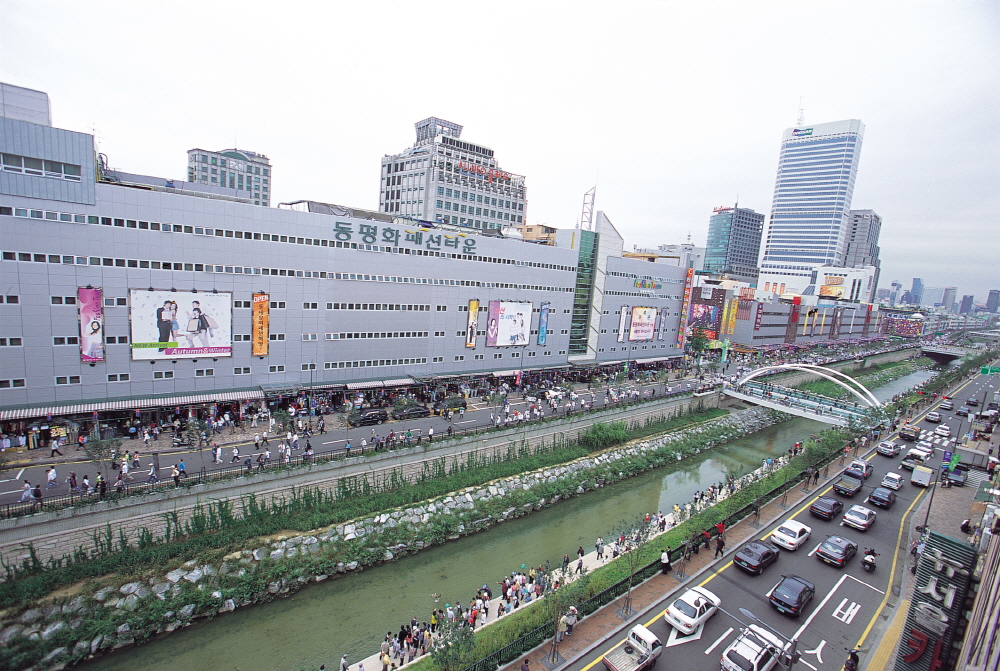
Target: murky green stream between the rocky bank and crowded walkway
350 615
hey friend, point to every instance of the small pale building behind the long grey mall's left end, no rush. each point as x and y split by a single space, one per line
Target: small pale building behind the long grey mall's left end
246 171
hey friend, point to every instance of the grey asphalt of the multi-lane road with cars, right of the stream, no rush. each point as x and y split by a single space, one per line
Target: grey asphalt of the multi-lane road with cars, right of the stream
847 601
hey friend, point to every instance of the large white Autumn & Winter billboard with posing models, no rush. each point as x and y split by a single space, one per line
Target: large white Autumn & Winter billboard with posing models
180 325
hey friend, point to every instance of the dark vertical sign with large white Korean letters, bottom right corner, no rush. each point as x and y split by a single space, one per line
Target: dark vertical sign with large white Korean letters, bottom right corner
944 573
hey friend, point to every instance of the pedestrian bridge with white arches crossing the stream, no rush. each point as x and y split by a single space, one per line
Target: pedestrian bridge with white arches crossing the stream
803 403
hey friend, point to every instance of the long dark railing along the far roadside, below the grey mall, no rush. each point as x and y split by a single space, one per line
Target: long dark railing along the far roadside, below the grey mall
137 488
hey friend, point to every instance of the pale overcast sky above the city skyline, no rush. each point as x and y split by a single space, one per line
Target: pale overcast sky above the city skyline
670 108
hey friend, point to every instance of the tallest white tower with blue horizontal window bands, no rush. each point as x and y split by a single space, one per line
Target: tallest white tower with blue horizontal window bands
809 225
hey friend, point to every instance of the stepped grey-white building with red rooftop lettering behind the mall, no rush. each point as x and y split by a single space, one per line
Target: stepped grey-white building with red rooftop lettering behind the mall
442 178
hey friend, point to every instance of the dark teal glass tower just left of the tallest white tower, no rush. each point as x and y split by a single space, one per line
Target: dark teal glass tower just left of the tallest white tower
734 243
